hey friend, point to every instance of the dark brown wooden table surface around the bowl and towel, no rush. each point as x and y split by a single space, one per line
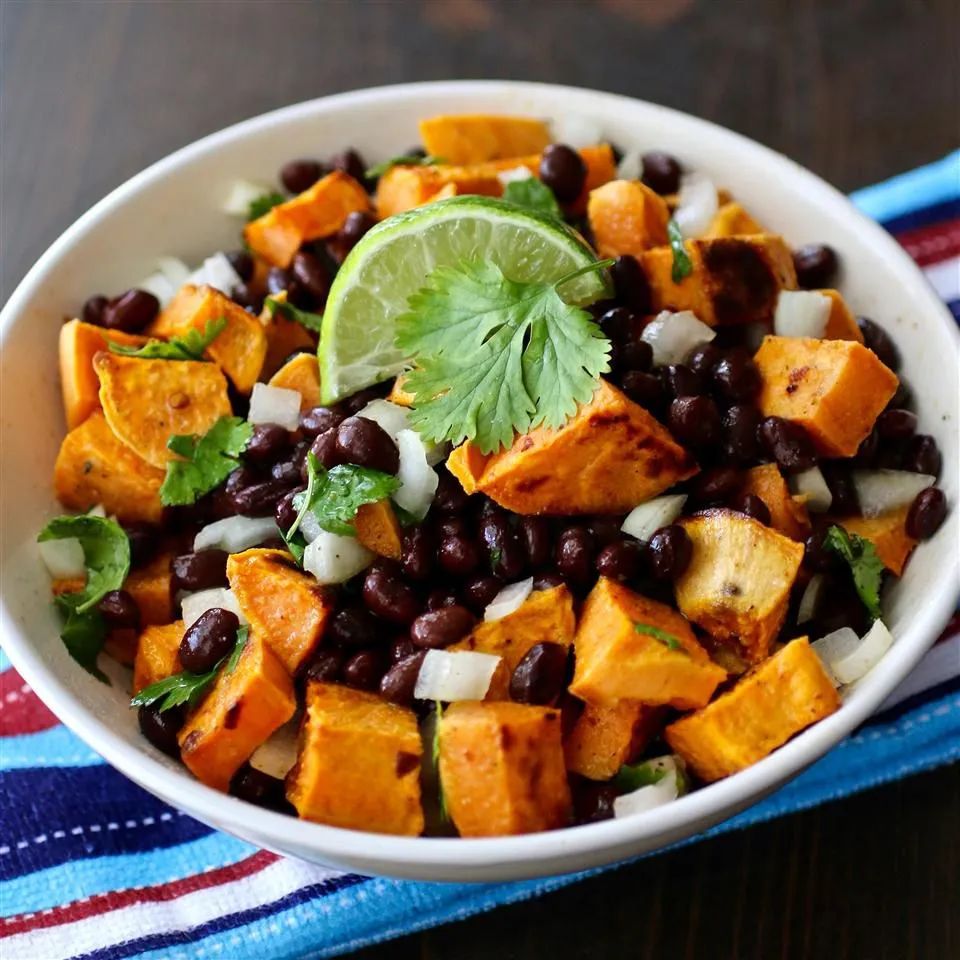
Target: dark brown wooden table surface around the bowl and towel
91 91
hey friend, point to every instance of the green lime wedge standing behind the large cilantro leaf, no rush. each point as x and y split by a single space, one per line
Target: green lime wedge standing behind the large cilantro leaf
393 260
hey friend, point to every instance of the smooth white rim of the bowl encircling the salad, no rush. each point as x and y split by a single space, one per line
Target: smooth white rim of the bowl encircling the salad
523 855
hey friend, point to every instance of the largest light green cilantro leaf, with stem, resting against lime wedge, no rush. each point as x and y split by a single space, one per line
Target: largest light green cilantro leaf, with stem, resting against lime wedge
495 356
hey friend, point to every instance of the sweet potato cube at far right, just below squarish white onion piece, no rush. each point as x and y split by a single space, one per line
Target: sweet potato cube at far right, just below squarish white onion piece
835 389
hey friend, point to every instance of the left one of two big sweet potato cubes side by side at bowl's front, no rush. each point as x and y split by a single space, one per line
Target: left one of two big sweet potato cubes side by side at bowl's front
359 762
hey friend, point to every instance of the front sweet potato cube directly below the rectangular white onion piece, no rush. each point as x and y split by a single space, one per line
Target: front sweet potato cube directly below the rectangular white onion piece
502 770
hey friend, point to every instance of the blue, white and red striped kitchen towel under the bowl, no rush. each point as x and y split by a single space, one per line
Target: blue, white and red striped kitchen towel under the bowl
93 867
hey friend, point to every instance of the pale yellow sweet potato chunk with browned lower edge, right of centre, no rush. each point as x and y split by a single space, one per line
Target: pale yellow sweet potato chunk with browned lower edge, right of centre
737 586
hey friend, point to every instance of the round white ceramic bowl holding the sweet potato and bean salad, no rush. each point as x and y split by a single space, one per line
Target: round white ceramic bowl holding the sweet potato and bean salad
173 208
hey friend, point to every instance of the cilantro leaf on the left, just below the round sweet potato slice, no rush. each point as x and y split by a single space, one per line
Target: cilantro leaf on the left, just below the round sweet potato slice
208 460
